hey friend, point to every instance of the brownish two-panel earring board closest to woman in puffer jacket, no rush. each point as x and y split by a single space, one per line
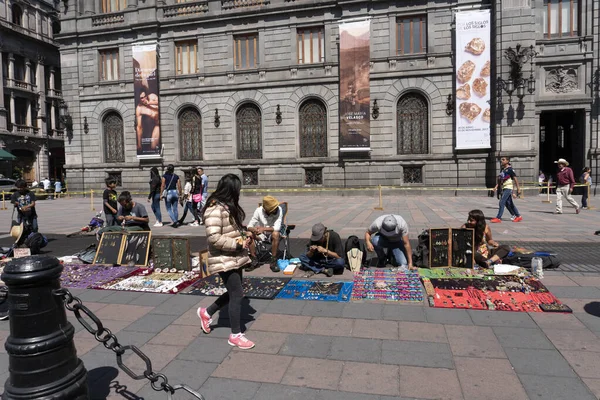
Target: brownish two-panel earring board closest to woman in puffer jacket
171 252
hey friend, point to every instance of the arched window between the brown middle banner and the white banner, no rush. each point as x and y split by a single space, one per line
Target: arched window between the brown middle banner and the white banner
413 124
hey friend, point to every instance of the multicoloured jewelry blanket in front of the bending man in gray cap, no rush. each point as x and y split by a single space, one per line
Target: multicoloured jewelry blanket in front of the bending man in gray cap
381 284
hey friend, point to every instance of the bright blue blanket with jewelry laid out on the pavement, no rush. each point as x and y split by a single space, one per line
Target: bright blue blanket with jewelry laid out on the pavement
317 290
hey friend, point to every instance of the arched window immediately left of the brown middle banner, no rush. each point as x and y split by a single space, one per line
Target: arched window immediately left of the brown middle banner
313 129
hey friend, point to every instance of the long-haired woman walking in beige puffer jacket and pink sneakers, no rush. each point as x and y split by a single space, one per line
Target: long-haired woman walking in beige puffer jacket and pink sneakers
227 255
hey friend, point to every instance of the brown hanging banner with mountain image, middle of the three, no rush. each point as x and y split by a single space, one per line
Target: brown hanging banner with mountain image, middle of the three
355 97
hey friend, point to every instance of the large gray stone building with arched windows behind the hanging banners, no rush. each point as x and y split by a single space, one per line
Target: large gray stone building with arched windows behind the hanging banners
229 67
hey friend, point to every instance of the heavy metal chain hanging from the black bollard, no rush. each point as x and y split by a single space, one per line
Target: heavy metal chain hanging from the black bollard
158 381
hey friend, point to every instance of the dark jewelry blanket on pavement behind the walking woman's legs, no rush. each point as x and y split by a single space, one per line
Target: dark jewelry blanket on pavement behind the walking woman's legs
254 287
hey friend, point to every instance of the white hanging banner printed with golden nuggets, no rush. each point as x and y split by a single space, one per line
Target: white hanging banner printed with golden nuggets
473 115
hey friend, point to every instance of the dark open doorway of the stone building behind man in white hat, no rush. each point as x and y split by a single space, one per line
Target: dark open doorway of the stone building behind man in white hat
562 135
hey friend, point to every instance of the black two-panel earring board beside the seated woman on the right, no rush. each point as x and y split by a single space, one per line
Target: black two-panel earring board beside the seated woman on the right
451 248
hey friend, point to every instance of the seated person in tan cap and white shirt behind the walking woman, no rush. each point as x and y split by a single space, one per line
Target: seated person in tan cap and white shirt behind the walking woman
265 226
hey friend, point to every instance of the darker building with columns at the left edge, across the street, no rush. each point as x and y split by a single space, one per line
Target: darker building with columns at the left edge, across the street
30 90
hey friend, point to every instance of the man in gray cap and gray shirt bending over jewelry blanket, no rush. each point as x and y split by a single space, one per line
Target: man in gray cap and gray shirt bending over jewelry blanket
389 233
